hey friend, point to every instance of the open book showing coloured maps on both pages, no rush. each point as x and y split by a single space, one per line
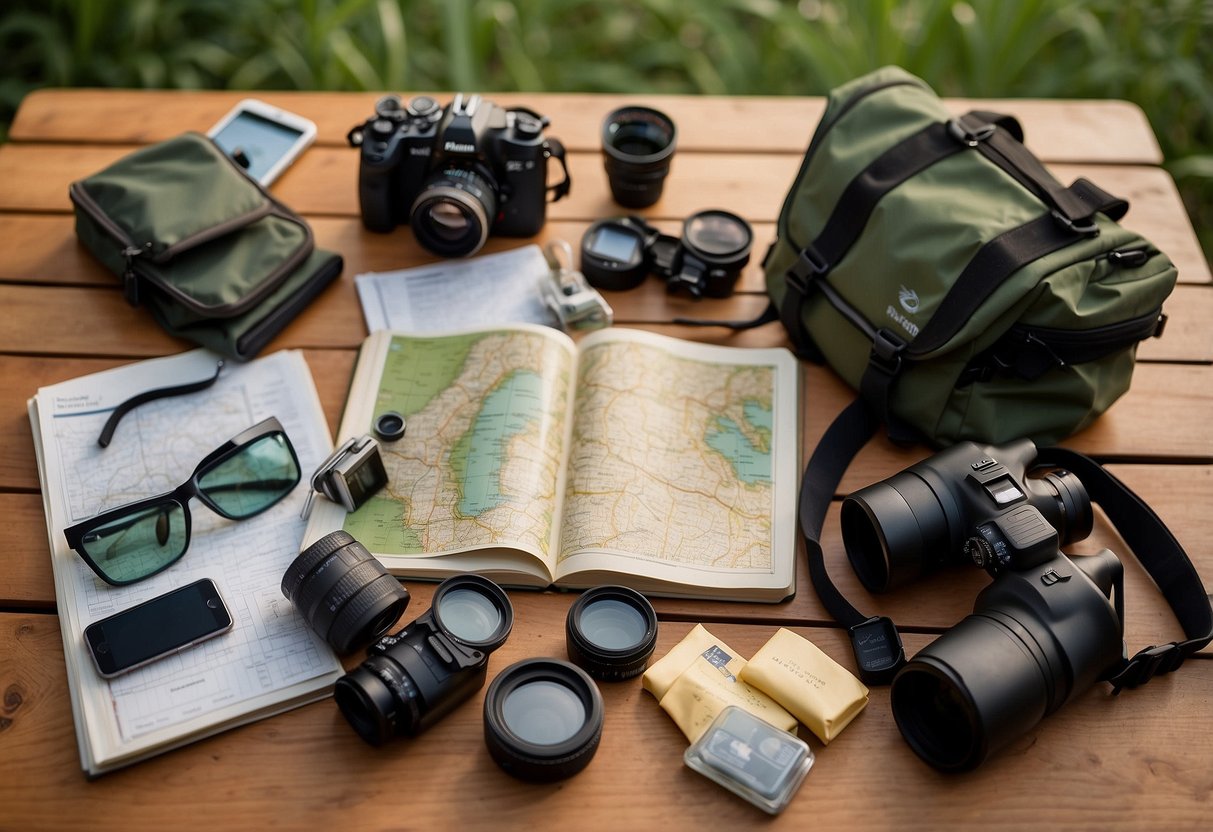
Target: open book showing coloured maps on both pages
630 459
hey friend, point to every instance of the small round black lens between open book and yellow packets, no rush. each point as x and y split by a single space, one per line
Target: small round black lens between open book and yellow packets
611 632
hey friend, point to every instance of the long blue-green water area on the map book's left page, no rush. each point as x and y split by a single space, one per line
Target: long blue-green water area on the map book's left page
509 411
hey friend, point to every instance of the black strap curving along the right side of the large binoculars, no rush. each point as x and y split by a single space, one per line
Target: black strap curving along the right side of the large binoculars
1163 557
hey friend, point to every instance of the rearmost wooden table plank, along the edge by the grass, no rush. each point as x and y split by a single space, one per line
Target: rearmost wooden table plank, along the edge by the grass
1056 130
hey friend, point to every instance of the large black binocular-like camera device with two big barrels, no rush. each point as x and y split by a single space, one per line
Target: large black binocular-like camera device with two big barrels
1047 628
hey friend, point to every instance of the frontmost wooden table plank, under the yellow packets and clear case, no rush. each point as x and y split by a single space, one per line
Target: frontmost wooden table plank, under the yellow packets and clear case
1134 768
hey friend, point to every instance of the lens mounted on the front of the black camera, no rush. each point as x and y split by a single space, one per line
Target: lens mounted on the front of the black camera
454 212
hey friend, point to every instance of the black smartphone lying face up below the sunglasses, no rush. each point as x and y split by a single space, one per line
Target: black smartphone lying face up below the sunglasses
158 628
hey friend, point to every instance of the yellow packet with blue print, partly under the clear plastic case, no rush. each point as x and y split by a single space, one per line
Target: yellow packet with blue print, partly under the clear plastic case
698 680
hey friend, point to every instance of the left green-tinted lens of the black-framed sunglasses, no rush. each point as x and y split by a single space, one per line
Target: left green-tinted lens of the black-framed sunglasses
130 548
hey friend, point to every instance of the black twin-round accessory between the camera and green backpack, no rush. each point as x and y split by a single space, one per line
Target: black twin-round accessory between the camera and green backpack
705 263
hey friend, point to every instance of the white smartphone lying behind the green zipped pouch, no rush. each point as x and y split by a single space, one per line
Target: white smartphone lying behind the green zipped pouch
263 139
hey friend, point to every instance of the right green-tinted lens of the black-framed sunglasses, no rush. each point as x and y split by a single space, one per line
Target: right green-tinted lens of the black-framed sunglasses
254 478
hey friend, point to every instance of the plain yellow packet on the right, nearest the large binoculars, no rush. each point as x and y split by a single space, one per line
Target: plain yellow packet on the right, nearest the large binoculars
796 674
